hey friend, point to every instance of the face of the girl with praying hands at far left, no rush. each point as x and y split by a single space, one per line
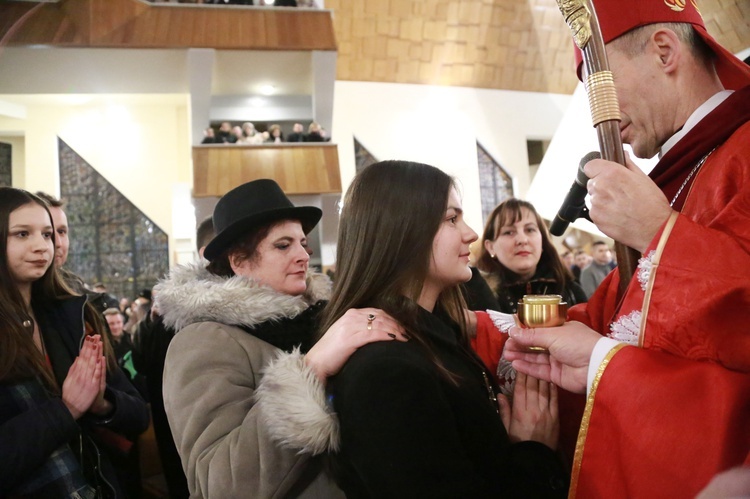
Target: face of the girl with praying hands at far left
29 246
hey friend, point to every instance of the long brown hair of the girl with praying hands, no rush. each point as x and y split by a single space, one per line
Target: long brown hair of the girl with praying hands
19 356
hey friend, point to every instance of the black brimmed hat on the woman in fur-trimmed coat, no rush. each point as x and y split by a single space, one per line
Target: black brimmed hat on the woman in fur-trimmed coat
252 204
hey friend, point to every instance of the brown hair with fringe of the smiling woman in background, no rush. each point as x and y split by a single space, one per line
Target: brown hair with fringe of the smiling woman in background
509 212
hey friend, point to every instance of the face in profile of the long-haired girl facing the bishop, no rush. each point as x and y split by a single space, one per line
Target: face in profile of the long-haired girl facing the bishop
449 264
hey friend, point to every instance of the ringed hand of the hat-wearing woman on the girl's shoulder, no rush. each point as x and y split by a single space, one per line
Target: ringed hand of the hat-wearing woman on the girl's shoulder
356 328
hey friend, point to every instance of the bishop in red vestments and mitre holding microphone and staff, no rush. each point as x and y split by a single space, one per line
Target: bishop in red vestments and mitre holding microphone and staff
668 389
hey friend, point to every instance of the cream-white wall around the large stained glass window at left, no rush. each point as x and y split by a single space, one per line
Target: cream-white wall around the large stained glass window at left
141 145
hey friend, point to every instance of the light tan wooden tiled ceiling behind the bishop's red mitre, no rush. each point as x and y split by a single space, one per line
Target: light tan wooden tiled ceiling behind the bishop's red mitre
501 44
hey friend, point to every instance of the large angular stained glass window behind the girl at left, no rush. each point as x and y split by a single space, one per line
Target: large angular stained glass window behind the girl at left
111 241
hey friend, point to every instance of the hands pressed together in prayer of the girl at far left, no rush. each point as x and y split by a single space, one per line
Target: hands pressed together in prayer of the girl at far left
83 382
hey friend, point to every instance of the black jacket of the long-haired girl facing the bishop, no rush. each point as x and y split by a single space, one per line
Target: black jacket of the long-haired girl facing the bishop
408 431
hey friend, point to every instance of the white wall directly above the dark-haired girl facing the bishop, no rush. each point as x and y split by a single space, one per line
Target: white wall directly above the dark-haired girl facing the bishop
441 126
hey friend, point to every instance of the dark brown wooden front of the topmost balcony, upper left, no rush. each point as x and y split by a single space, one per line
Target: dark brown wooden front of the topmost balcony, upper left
136 24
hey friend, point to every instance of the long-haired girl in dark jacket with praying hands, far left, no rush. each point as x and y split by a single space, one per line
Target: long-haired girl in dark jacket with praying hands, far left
61 395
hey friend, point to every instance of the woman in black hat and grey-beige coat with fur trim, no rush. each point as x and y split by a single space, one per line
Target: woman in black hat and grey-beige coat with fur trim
234 316
